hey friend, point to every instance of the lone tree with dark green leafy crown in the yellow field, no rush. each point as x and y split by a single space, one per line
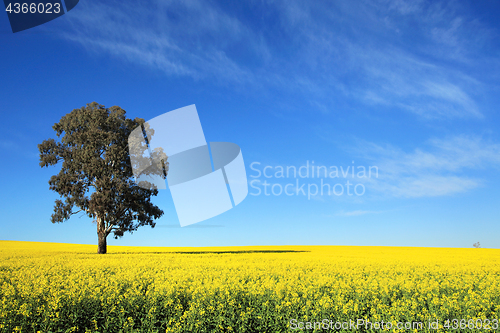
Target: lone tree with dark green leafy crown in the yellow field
96 175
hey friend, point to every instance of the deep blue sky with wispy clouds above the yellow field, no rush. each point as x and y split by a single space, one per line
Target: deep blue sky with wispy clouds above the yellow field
411 87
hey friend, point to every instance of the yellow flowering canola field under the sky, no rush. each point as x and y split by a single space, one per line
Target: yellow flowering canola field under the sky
48 287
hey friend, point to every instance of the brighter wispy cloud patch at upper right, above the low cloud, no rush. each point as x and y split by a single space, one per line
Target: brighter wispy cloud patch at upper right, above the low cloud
399 80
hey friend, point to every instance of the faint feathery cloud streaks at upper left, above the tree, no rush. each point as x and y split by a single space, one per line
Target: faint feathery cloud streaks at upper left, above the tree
169 36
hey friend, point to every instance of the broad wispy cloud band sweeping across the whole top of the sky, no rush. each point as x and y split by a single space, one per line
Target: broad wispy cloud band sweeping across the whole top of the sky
363 50
